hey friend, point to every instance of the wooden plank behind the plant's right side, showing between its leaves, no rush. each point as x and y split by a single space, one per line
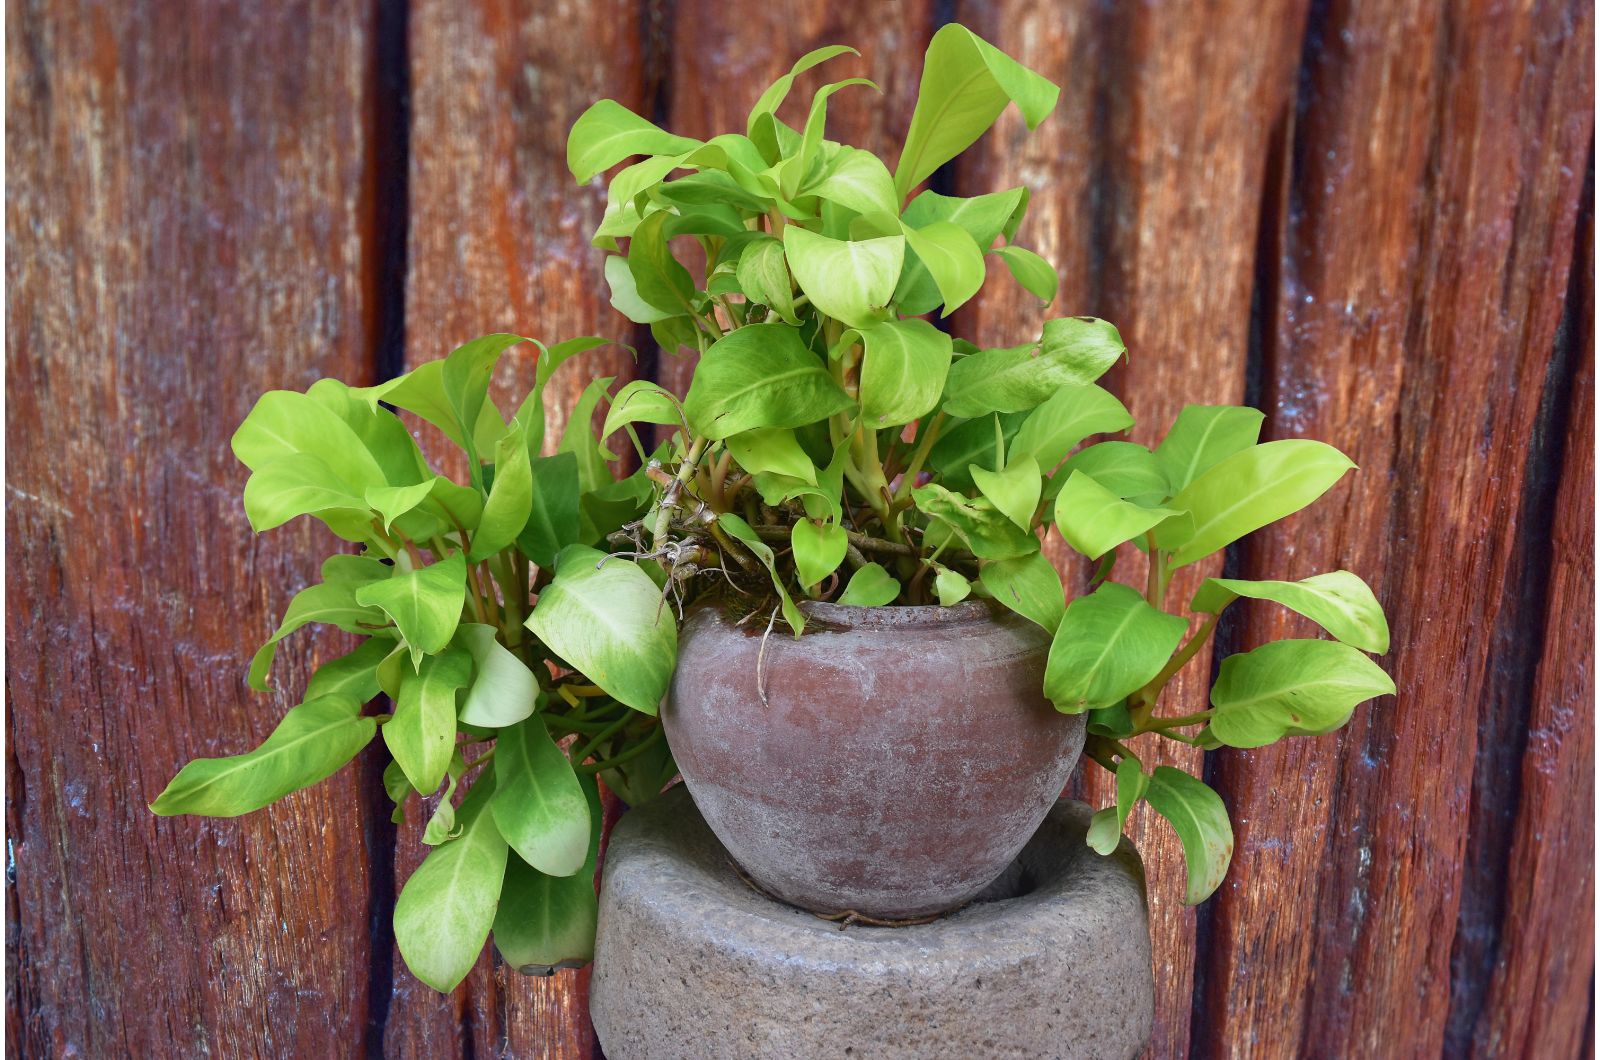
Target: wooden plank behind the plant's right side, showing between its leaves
1148 188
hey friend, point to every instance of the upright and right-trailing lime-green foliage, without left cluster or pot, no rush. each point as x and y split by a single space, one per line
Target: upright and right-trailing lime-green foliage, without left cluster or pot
836 444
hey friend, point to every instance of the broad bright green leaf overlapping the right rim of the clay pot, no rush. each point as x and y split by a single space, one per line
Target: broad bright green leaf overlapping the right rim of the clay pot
1108 646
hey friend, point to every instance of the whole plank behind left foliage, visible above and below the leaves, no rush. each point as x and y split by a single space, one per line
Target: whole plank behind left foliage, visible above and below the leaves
500 243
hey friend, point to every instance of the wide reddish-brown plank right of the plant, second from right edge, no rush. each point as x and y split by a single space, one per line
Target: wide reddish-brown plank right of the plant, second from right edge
1423 278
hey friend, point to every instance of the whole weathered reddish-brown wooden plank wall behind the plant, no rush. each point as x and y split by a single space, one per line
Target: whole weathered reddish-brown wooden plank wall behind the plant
1374 219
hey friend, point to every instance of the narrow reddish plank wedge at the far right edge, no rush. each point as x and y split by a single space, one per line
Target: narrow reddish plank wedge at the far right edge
1542 990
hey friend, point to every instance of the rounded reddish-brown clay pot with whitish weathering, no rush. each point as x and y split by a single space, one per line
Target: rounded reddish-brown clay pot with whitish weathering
900 761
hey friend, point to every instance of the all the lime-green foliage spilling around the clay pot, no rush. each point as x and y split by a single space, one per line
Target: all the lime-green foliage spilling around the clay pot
834 444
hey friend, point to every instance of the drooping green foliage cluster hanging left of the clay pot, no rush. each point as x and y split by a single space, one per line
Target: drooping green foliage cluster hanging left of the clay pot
441 592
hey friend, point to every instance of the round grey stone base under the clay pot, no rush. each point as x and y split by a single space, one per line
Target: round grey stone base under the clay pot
1052 962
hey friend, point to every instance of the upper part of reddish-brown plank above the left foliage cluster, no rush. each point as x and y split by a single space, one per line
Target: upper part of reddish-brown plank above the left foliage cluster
498 228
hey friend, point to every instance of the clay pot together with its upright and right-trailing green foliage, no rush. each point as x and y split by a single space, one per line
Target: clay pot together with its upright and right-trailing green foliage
844 472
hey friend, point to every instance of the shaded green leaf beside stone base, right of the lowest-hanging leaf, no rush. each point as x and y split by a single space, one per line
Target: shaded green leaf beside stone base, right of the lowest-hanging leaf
550 921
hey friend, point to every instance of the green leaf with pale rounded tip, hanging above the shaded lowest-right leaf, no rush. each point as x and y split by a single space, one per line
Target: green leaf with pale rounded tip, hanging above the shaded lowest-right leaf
540 808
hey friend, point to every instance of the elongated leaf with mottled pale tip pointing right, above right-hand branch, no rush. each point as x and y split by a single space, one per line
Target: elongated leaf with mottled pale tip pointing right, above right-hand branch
1074 351
